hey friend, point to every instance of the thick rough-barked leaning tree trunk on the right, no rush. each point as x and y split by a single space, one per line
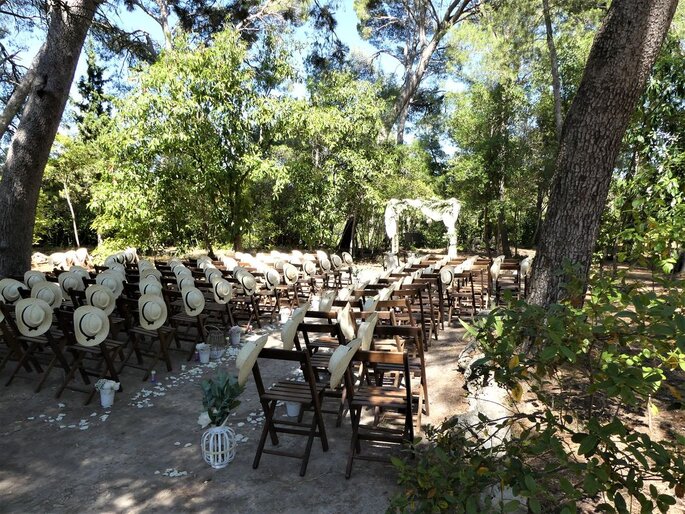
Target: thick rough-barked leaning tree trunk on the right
616 72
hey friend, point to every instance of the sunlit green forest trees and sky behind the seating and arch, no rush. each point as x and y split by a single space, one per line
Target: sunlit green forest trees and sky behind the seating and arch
256 126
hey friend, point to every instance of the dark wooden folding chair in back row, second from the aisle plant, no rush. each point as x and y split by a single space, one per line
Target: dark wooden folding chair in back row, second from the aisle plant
386 394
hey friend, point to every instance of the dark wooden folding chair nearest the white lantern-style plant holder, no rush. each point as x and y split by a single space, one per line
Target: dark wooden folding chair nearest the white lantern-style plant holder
308 393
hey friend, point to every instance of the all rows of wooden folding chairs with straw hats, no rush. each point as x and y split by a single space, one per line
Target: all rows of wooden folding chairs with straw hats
361 346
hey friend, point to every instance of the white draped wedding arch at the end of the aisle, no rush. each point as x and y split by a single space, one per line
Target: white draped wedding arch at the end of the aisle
446 211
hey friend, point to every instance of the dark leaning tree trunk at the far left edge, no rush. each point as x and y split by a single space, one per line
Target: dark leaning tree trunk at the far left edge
68 23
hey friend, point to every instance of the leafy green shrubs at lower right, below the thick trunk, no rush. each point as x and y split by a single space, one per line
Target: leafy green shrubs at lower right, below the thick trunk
587 370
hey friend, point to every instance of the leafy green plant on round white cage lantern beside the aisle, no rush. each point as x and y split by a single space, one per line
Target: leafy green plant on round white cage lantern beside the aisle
219 397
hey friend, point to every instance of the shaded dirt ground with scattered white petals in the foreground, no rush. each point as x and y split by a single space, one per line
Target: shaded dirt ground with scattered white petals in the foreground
143 454
